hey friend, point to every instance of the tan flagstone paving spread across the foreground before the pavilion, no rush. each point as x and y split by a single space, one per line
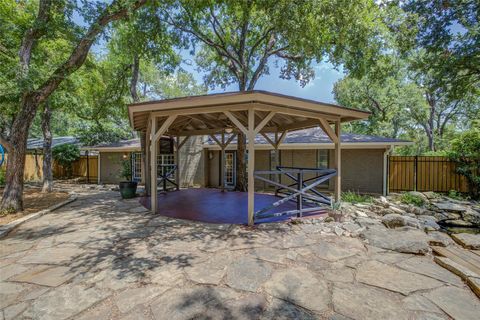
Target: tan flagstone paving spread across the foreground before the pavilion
104 258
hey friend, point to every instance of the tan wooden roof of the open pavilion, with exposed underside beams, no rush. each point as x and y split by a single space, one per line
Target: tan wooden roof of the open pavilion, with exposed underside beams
206 114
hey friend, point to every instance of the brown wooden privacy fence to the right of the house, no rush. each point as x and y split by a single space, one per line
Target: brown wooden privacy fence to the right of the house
424 173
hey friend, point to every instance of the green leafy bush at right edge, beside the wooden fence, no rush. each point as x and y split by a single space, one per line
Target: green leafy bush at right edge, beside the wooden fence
465 151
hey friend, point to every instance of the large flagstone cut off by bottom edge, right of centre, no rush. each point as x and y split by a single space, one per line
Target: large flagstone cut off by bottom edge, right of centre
365 303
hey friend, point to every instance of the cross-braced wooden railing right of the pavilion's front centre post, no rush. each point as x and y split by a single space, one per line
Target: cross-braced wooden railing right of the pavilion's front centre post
302 190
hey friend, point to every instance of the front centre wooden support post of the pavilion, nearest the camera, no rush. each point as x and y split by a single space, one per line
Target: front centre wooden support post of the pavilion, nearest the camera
251 165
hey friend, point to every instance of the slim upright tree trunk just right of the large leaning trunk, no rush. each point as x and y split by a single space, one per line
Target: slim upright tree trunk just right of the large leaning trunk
47 150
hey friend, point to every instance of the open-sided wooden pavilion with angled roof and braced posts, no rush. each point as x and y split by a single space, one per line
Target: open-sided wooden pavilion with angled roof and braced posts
222 116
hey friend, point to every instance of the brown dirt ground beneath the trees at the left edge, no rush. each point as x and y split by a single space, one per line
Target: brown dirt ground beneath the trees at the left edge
34 200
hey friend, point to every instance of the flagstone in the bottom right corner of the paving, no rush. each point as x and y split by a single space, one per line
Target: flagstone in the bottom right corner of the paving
464 306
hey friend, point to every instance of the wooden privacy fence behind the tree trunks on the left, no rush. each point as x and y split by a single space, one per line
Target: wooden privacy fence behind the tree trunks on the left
34 168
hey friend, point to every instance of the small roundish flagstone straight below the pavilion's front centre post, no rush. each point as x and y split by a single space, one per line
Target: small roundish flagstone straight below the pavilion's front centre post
246 273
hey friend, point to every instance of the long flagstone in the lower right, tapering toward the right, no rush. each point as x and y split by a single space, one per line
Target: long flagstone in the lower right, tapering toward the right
382 275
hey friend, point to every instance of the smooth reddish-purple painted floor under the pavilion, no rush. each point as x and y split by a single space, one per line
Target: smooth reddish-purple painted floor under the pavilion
215 206
